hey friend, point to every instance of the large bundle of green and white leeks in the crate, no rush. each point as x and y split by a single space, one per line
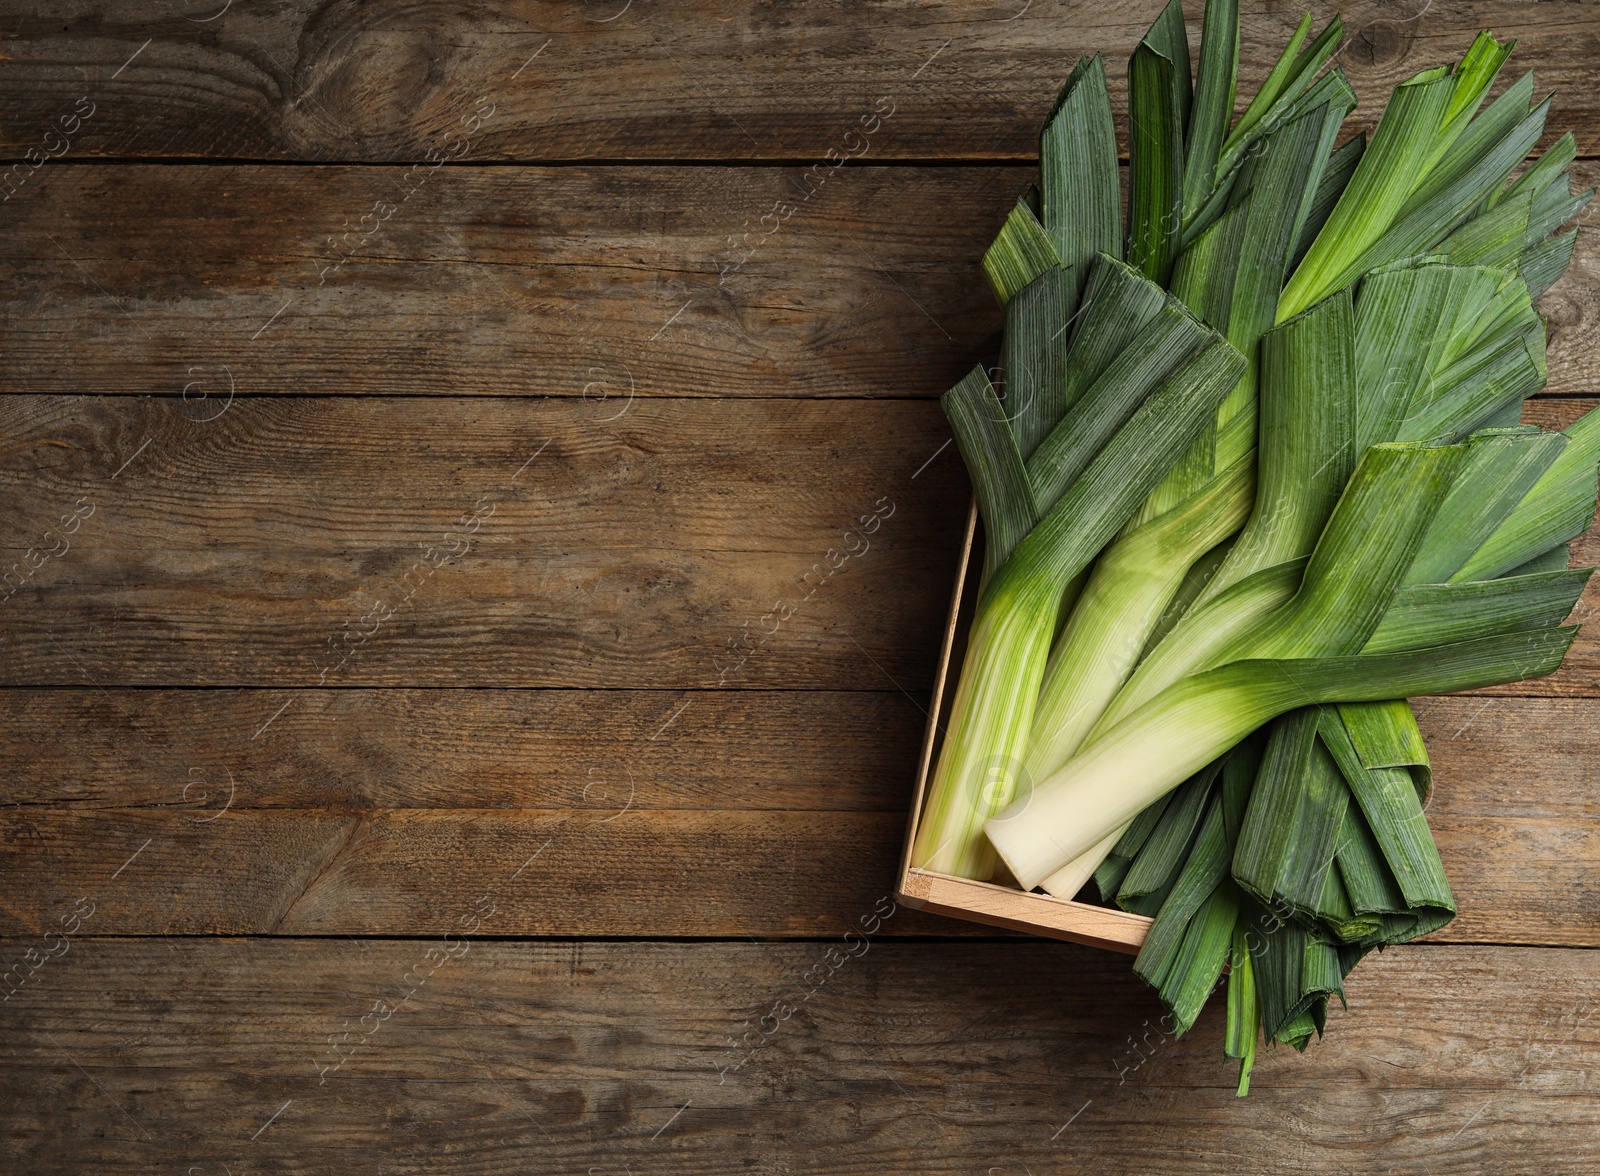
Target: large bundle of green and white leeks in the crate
1254 476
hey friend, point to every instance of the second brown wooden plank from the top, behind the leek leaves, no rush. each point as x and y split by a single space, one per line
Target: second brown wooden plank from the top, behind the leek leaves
564 282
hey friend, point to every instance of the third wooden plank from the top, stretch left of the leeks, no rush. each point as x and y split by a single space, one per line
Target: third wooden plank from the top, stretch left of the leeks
319 542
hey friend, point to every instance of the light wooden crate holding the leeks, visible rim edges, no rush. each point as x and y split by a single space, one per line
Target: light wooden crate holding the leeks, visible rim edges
986 902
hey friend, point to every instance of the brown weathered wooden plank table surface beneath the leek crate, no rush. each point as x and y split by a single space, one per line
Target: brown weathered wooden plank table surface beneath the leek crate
398 721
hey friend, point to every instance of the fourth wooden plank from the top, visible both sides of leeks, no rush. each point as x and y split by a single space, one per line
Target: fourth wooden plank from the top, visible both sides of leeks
354 812
